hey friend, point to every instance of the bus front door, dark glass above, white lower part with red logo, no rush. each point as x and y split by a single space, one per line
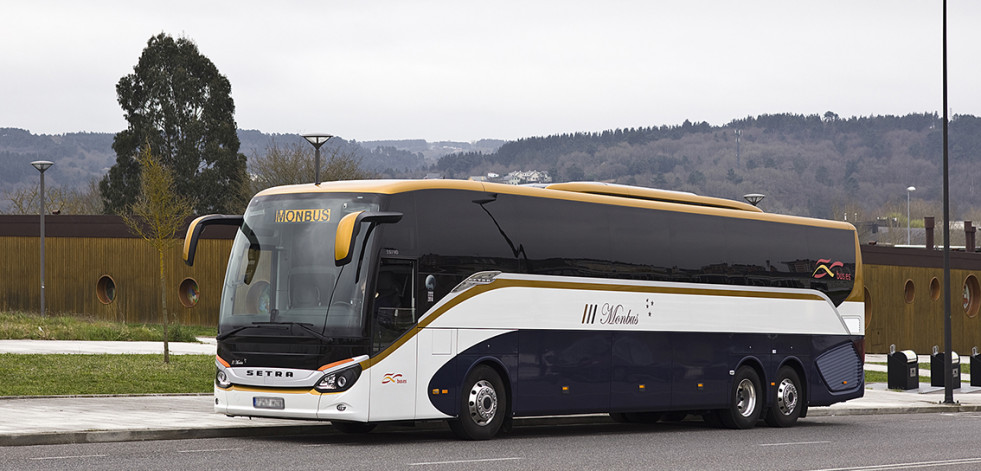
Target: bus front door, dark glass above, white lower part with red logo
393 316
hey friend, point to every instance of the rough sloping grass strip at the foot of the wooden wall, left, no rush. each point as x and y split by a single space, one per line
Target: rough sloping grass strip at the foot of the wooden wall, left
21 325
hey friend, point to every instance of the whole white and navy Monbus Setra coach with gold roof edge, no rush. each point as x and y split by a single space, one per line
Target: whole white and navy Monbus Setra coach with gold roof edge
363 302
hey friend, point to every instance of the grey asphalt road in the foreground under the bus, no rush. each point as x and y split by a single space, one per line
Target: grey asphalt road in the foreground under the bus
922 441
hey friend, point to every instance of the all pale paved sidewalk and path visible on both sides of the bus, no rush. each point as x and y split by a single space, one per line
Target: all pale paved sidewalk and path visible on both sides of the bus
83 419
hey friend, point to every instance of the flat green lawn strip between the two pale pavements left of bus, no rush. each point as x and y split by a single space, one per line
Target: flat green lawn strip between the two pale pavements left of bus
57 375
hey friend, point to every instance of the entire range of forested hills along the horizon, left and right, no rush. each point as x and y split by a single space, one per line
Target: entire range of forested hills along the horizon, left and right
822 166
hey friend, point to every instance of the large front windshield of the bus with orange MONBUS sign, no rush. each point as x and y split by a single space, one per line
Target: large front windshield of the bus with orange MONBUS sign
282 270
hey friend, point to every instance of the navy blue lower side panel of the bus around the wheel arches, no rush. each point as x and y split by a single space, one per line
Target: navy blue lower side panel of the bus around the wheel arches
571 372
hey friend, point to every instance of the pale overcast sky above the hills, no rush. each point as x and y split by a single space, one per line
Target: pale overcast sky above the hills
459 70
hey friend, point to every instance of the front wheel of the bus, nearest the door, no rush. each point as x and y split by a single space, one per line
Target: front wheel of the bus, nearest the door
483 405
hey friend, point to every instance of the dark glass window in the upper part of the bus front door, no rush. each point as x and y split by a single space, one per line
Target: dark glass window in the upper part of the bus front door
394 308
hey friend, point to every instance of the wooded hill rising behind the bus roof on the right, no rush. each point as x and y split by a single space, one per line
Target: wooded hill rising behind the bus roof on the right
806 165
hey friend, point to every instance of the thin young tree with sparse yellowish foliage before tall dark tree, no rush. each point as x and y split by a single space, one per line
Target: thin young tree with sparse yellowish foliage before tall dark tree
157 216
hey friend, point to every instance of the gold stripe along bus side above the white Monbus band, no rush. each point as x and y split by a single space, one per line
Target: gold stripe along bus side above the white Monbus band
505 283
